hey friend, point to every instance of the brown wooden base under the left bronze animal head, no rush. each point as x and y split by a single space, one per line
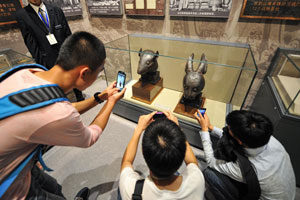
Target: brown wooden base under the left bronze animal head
146 92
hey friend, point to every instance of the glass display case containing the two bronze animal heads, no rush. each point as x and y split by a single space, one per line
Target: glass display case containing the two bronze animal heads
230 72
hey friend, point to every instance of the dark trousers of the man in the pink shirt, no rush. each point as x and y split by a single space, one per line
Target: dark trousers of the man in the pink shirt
43 186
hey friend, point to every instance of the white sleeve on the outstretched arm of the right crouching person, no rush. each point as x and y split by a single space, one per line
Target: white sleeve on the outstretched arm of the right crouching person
231 169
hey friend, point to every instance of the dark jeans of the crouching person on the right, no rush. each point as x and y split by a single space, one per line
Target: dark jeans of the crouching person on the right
222 187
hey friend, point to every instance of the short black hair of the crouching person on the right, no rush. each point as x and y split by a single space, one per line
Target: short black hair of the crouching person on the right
251 128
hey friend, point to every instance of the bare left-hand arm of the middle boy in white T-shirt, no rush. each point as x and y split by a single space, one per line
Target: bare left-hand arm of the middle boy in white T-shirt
130 152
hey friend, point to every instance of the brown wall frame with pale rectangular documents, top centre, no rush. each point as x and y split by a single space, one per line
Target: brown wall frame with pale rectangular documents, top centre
145 7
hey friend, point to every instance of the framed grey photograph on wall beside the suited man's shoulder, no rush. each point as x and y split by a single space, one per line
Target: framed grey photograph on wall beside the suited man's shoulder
70 7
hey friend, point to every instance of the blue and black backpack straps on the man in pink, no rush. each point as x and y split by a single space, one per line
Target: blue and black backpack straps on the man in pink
22 101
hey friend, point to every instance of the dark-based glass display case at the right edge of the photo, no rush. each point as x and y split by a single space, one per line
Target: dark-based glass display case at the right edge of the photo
279 99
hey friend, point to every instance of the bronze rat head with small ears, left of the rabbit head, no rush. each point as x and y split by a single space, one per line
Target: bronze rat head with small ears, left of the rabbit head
148 65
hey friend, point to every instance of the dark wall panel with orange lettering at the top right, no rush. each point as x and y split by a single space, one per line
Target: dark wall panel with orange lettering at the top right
271 9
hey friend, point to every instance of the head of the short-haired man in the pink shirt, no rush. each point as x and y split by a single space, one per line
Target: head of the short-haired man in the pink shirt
85 53
